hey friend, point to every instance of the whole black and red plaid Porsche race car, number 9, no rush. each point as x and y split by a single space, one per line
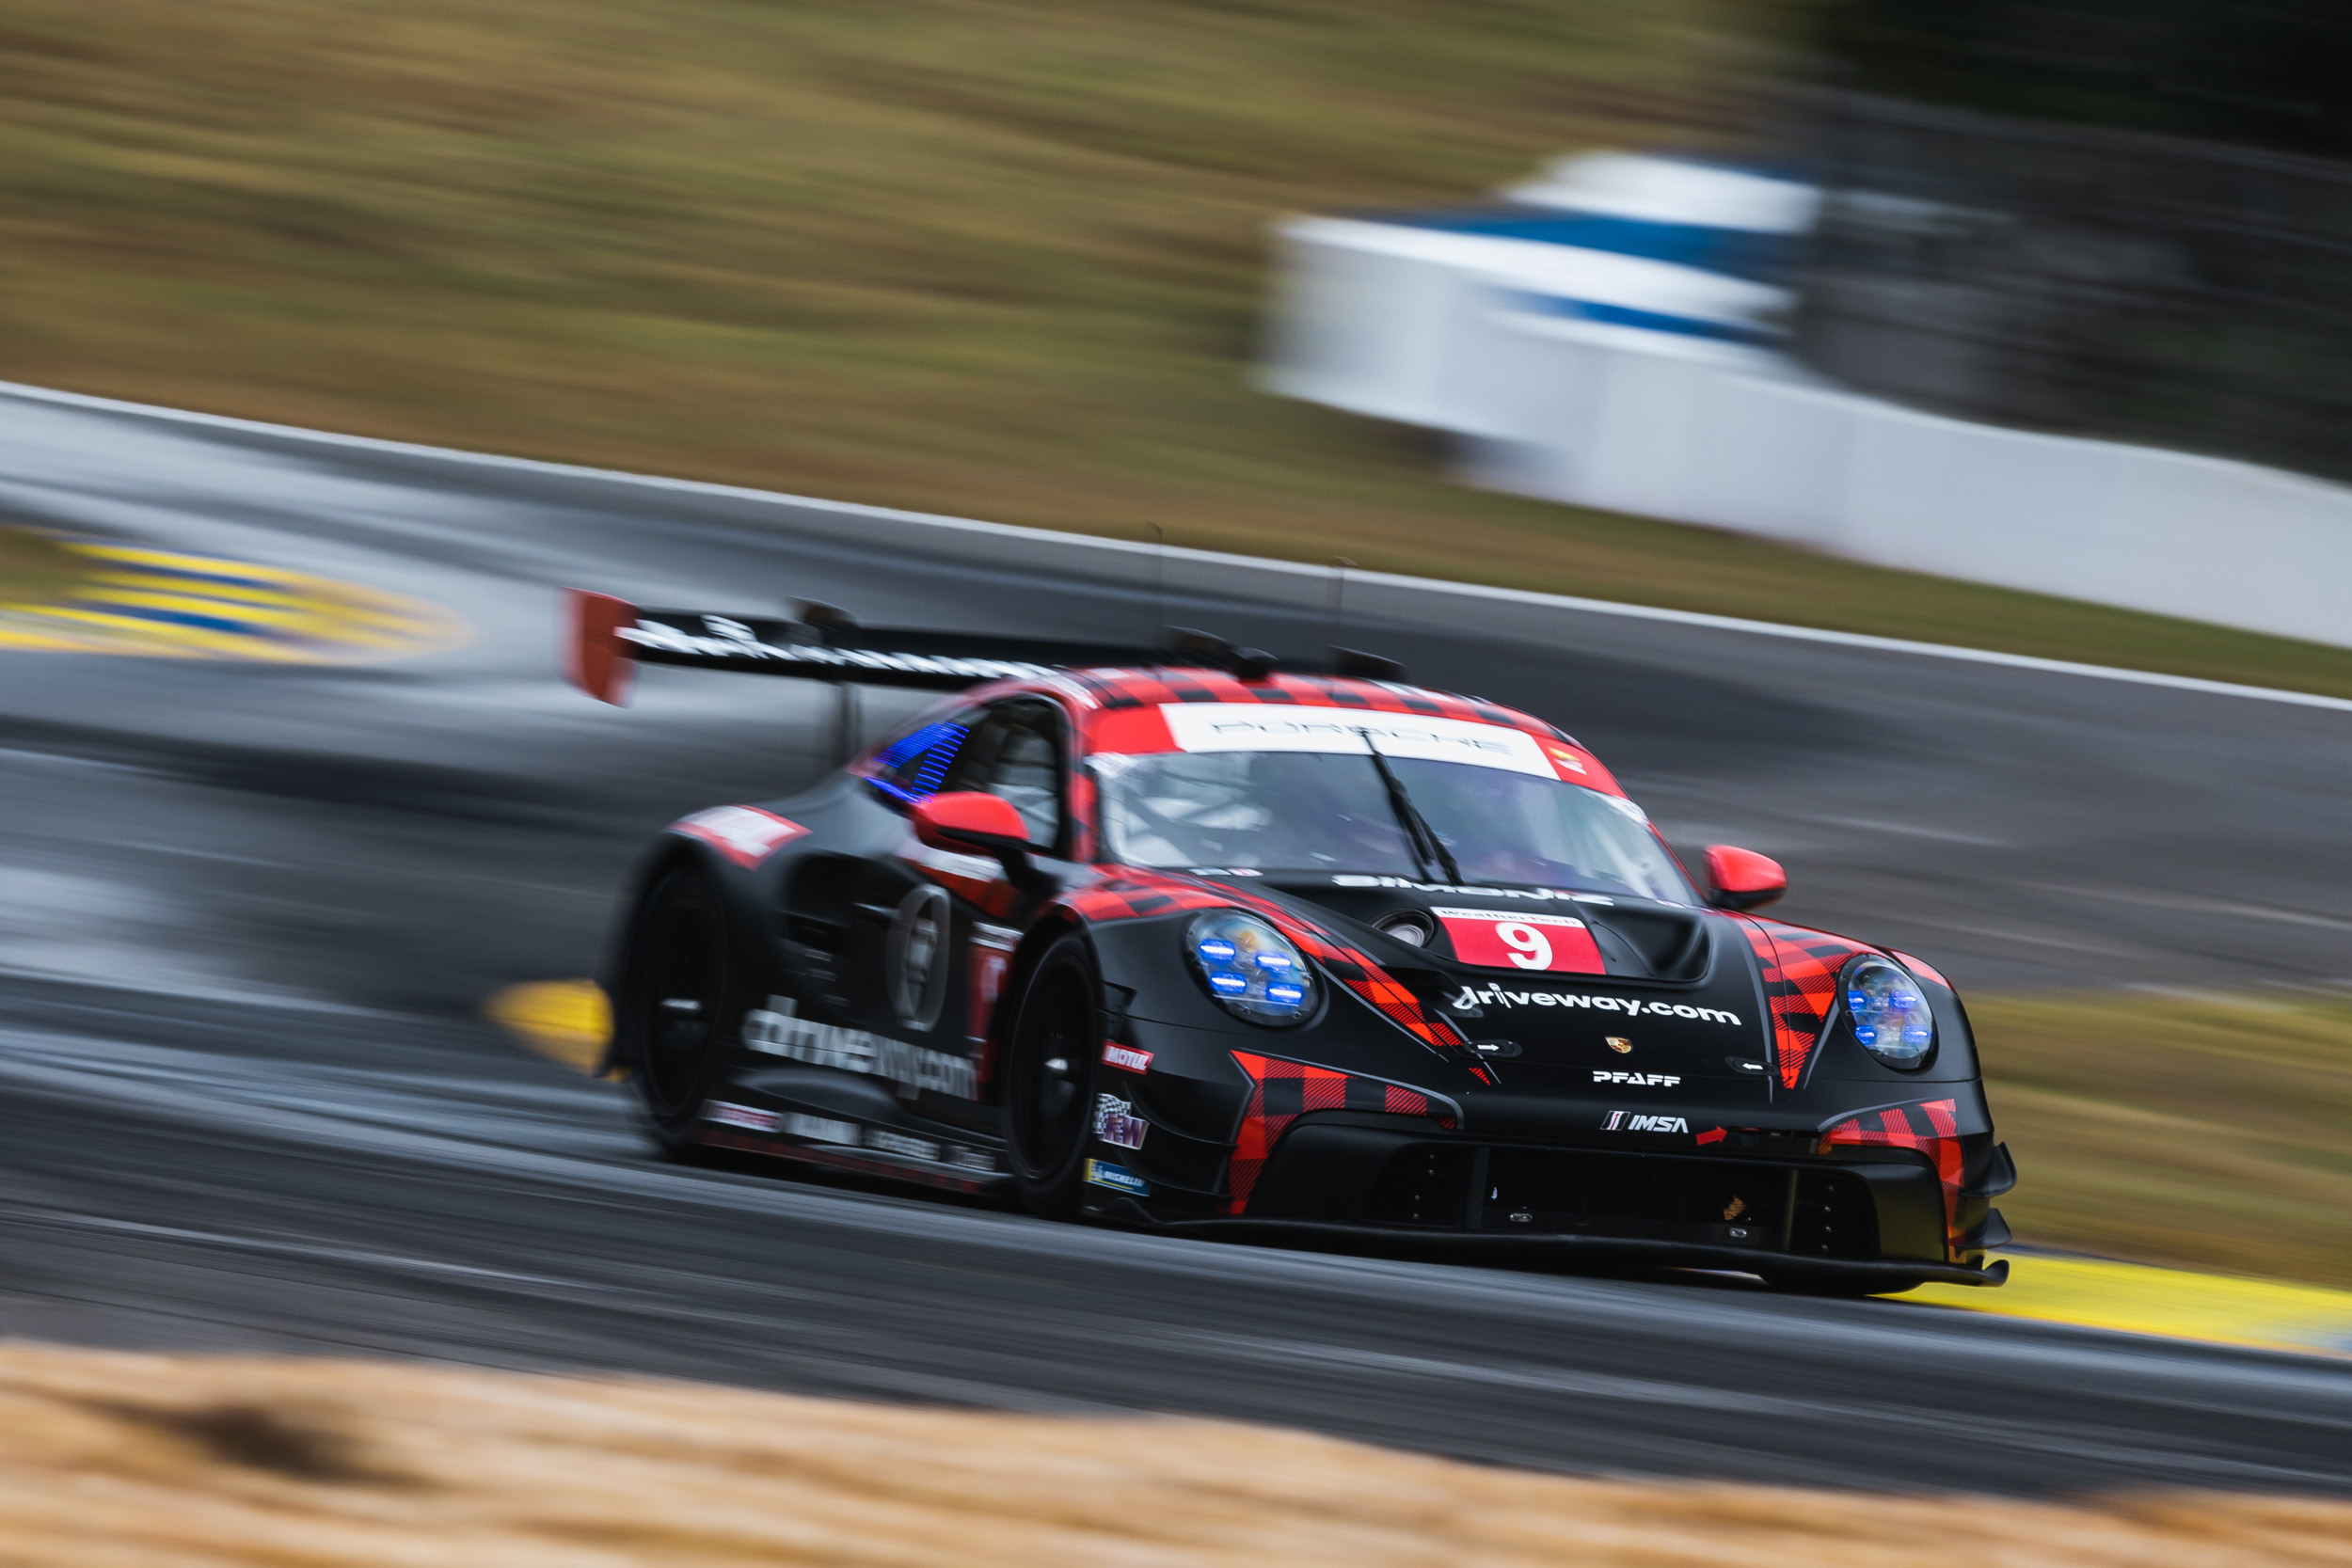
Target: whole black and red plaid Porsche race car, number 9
1189 942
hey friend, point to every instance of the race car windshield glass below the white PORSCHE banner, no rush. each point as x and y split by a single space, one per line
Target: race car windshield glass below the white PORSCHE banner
1332 812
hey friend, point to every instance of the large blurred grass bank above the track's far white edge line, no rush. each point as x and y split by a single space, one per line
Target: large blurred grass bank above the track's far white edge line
987 257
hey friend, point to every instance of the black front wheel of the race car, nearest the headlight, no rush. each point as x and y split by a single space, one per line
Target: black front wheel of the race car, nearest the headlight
1050 1078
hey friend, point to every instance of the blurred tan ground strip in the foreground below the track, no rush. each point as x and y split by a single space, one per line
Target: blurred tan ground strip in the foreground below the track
112 1461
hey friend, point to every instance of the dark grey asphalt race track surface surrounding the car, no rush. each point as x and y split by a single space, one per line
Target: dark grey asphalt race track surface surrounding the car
248 916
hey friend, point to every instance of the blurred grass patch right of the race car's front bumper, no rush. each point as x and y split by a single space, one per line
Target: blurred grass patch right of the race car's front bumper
2200 1132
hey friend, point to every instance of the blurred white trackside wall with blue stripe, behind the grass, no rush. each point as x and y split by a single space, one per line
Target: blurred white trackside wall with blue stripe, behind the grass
1645 387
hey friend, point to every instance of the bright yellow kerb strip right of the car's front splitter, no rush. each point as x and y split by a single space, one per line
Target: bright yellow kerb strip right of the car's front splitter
2167 1304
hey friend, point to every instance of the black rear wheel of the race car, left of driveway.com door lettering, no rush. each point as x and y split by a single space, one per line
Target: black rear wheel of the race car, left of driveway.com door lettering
671 1007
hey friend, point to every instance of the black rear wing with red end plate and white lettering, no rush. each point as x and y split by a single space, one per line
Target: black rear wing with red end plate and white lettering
608 636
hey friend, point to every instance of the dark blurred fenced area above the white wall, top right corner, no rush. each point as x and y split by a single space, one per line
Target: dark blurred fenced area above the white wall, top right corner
2109 217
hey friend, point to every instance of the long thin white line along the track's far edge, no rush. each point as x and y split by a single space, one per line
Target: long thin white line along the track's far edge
1210 558
